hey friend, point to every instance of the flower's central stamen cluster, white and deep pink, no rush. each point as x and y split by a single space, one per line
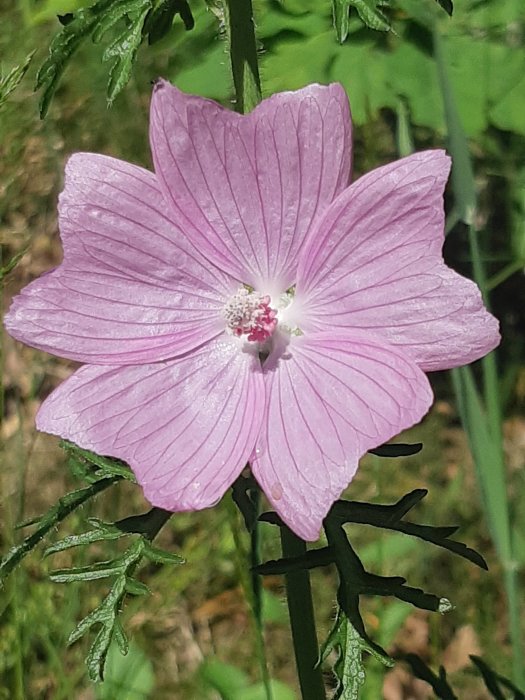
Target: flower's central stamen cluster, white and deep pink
249 313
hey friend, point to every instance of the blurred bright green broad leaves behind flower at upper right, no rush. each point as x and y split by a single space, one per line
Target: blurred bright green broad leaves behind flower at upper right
487 67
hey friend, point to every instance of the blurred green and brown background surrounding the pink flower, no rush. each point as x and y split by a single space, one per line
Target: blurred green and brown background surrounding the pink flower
433 82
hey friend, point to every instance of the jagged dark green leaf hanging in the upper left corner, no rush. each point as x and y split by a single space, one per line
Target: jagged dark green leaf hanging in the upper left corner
128 22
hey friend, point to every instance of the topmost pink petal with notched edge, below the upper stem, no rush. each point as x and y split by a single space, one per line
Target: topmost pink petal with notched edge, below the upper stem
246 189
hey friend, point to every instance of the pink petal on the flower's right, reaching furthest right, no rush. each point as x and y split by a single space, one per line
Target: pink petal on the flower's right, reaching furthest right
375 263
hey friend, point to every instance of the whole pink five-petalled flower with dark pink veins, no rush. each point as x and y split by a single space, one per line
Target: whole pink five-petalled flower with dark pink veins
246 304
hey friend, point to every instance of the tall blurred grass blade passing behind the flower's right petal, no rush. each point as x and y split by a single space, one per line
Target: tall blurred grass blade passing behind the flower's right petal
483 427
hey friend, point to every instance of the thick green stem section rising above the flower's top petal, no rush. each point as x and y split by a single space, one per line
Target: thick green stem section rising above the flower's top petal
243 54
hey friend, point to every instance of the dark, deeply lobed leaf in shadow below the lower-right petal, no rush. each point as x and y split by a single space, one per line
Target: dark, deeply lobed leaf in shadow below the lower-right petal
349 636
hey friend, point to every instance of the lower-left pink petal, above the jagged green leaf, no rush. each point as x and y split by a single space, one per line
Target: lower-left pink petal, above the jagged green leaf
186 427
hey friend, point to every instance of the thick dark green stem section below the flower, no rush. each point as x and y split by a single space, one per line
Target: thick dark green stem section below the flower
302 620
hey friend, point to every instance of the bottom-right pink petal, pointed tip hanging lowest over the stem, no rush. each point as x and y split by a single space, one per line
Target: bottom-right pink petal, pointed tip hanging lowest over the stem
332 398
